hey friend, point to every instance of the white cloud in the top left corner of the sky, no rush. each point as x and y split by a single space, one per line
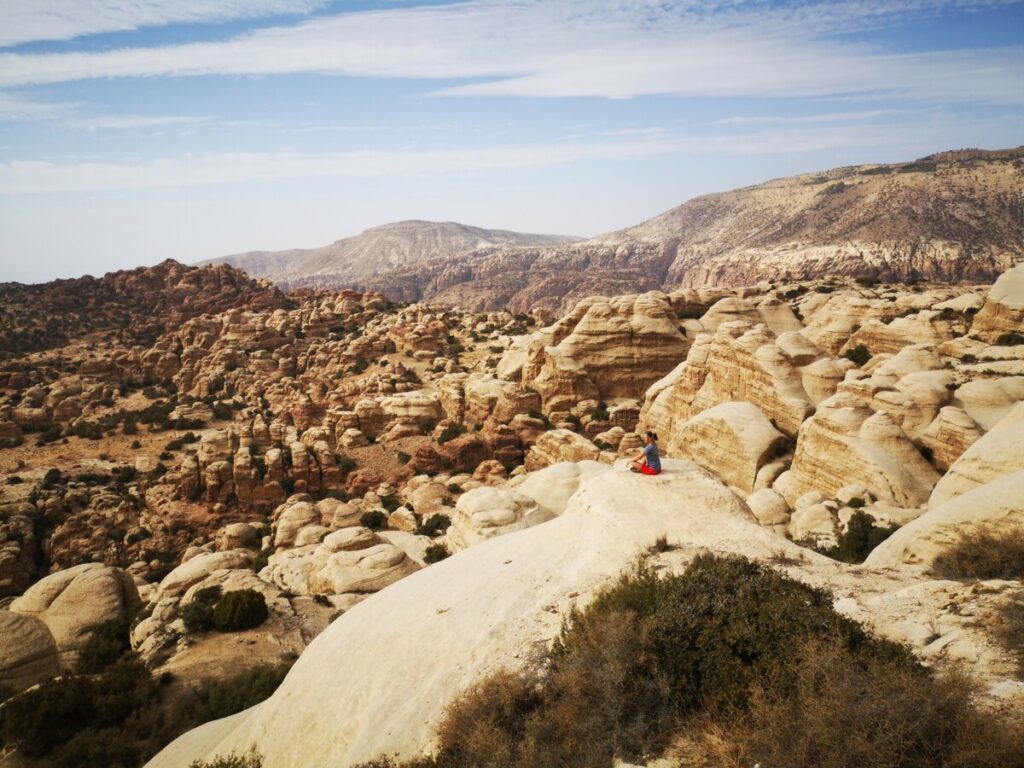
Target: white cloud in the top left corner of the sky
27 21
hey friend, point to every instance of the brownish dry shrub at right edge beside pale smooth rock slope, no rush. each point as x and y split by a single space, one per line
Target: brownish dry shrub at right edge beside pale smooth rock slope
983 553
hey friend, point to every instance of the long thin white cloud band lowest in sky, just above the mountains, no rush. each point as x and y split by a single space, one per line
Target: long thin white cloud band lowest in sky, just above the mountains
30 178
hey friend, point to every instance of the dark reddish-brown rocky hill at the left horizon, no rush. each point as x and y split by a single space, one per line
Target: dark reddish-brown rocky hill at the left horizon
137 305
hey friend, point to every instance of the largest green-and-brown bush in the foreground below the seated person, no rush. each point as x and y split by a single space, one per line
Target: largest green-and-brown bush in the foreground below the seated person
728 648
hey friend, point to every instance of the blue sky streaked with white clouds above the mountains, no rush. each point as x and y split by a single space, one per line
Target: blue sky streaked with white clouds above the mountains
133 132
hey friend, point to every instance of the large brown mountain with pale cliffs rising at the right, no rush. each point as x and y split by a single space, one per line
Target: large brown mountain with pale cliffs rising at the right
952 217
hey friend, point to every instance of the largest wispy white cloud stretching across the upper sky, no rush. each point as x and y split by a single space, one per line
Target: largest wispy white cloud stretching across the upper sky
609 49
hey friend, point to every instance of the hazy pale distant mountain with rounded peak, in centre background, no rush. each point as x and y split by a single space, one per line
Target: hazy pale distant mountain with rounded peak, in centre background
351 262
